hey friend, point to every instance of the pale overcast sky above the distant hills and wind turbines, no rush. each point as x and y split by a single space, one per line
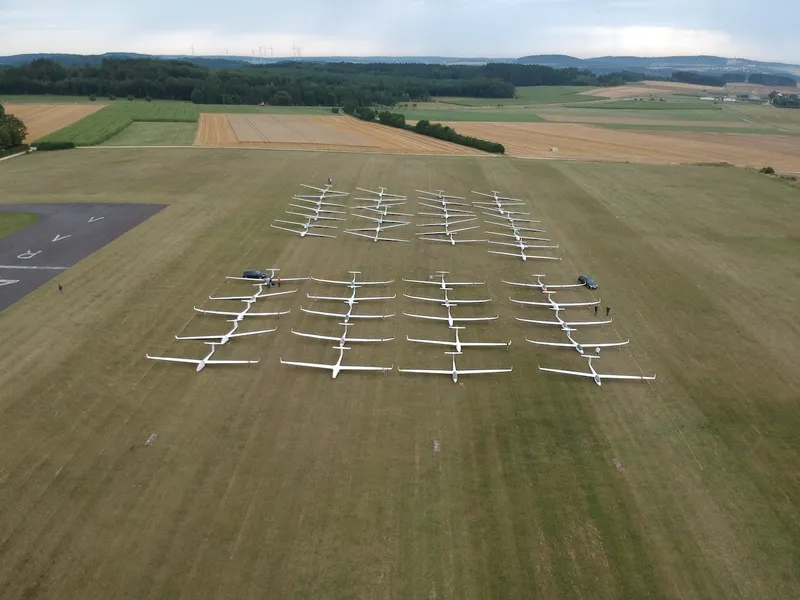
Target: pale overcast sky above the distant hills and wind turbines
495 28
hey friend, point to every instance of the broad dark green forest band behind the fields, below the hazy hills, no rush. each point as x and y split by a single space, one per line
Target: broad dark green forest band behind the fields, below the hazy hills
293 83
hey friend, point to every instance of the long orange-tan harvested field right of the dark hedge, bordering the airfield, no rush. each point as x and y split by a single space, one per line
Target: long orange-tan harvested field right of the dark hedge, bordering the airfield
587 142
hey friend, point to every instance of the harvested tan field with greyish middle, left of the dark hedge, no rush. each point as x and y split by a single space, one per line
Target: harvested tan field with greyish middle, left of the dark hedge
317 133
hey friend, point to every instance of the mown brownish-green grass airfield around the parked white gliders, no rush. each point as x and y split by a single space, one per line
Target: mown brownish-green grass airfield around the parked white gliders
271 481
